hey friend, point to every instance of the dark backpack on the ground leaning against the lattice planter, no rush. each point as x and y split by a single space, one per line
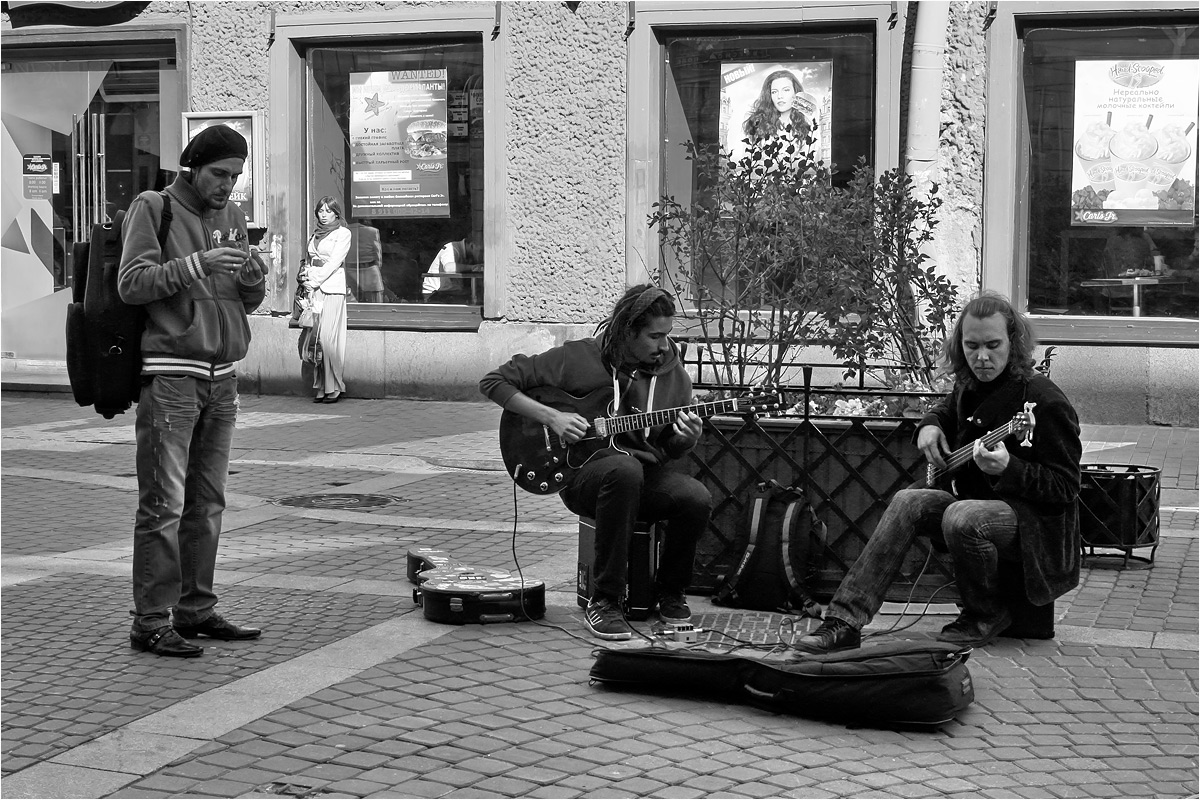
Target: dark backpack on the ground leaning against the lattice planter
783 540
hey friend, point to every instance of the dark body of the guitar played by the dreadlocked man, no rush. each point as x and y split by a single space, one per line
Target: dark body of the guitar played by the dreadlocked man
535 456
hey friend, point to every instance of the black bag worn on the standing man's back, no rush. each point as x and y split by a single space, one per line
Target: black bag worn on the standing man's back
104 332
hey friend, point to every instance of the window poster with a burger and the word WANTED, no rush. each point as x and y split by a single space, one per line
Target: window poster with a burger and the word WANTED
399 145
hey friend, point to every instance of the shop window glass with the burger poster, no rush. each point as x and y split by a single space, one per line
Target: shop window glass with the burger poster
397 133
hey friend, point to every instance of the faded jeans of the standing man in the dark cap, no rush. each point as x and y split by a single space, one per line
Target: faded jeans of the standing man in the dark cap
184 432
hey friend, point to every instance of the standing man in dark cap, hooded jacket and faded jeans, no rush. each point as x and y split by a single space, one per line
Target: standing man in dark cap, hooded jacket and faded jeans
197 291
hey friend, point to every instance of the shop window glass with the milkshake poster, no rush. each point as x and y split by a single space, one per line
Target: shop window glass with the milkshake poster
1113 170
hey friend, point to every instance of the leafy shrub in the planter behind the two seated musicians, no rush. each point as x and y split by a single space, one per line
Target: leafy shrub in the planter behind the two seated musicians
772 258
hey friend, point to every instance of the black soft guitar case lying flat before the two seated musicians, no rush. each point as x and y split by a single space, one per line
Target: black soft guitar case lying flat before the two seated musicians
895 685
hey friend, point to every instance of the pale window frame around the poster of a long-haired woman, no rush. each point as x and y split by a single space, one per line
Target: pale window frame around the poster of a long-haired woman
651 22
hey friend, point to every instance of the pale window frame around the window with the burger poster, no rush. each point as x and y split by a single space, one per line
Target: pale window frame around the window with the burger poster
293 35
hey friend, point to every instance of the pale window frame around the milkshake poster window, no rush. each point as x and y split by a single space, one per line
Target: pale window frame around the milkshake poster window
1007 178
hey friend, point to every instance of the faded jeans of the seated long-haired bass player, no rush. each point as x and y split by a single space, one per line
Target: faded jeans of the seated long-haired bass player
979 534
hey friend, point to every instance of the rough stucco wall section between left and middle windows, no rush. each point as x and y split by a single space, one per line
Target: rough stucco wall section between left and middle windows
566 106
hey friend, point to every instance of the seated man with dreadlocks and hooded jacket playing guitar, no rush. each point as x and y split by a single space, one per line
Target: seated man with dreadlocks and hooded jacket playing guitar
637 365
